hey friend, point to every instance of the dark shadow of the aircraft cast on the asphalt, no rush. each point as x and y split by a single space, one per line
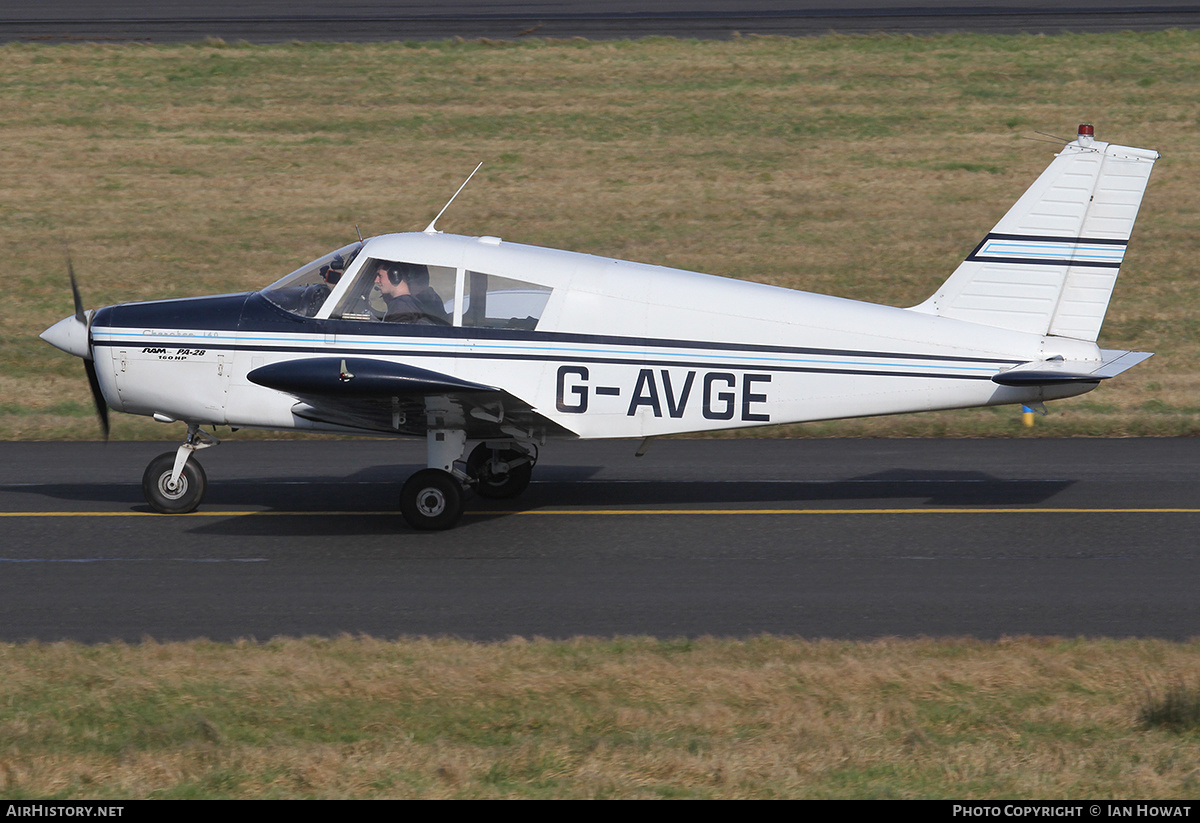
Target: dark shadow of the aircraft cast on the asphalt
353 497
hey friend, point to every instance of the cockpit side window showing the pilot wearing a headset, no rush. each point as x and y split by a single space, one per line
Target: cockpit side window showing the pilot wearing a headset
400 292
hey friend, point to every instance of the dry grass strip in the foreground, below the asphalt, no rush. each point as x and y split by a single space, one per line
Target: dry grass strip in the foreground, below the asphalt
634 718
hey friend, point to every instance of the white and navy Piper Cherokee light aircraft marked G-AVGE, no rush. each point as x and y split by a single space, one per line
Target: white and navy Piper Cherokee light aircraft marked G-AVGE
488 349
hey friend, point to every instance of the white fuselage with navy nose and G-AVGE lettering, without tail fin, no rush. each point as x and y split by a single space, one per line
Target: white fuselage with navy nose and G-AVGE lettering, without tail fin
651 351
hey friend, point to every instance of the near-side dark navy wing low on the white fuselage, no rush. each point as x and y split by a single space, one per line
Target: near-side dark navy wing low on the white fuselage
394 399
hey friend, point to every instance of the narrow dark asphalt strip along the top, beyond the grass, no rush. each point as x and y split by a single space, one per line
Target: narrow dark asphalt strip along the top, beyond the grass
275 21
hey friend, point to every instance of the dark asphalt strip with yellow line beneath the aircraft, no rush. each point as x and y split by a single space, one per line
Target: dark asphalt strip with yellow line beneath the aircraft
843 539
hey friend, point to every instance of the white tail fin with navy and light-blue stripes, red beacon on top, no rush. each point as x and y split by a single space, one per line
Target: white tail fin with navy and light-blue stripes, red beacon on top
1051 265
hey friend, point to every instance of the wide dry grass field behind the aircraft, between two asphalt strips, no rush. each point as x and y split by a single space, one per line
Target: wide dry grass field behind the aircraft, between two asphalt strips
865 167
